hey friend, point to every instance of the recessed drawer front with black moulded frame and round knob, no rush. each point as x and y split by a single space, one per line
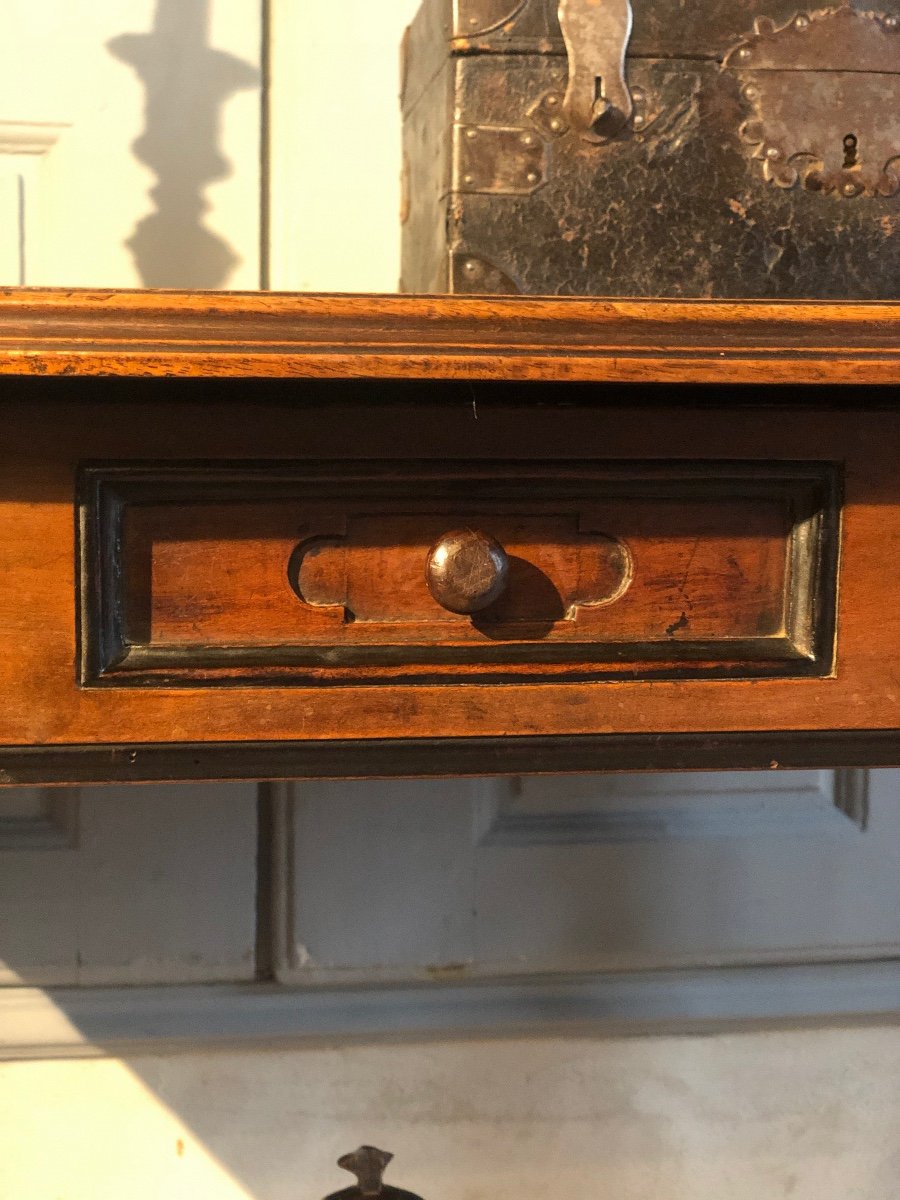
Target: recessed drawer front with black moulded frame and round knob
351 574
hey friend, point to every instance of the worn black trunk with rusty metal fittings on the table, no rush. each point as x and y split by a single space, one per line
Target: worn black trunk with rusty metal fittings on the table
713 148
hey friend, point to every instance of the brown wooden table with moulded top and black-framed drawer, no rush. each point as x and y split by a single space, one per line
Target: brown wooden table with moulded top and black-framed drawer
225 569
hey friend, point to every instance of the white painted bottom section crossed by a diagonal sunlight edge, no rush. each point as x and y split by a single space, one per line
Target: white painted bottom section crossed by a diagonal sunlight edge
802 1115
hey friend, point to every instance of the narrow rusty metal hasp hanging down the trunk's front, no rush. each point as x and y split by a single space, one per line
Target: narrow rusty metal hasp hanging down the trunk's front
598 101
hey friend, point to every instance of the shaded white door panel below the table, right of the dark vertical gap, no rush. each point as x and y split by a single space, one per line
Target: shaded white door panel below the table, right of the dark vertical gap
465 879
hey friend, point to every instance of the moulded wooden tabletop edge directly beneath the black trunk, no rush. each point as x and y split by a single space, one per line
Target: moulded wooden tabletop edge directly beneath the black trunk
329 337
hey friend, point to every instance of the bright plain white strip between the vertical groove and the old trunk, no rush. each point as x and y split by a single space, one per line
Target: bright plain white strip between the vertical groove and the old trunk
337 154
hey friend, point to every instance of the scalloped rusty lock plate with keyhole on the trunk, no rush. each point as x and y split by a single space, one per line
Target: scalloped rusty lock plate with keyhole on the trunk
825 97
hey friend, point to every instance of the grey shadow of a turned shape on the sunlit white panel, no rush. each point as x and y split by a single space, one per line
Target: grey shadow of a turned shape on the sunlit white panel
187 85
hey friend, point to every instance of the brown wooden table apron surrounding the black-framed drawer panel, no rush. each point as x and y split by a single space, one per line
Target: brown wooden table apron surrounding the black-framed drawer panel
41 700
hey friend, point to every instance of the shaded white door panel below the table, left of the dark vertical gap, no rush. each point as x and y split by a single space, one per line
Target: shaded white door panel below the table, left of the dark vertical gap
128 885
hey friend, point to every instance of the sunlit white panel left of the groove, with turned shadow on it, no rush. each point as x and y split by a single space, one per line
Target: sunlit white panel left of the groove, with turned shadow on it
100 105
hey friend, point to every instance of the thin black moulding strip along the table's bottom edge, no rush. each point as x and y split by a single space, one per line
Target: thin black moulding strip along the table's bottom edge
435 758
